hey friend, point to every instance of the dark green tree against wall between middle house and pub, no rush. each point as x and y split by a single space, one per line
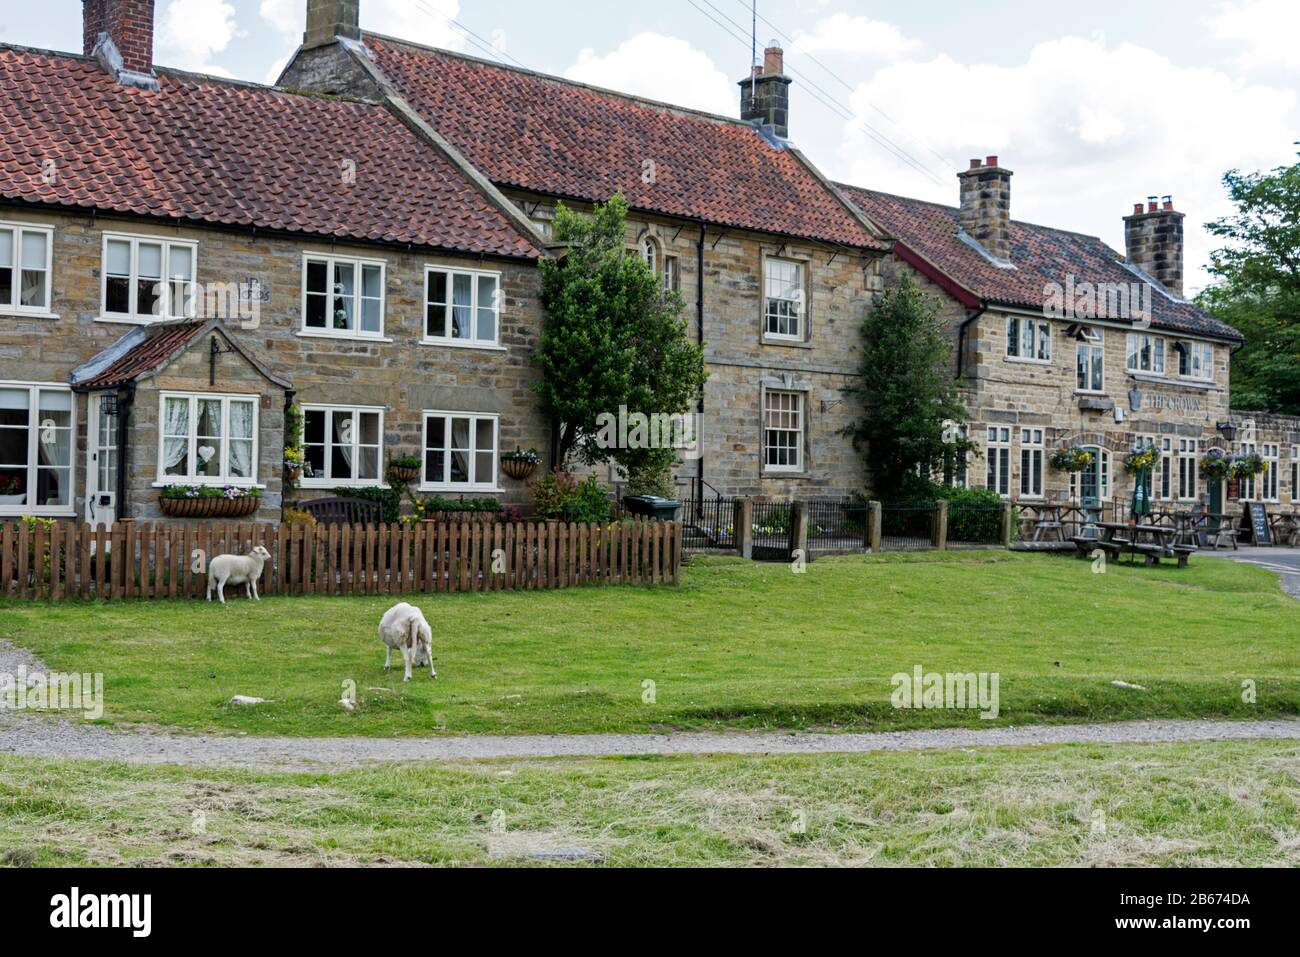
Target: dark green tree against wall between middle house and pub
911 402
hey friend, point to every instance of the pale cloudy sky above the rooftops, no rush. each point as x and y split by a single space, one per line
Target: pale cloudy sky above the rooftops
1094 106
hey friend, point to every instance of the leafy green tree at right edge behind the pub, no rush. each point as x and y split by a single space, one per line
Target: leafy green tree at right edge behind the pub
1259 287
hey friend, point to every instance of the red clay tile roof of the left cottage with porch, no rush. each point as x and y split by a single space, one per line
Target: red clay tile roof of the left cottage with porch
233 154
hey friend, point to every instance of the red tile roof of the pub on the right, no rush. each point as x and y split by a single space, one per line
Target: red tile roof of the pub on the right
1041 256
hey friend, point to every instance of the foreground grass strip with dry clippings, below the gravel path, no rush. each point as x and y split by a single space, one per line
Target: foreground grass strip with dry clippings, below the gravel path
1173 806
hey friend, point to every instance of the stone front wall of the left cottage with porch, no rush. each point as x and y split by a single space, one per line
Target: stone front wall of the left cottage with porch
398 374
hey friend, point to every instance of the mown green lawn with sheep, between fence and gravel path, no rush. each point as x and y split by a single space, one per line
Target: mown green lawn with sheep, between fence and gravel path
739 646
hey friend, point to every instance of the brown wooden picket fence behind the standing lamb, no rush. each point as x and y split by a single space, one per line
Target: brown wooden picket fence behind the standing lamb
168 560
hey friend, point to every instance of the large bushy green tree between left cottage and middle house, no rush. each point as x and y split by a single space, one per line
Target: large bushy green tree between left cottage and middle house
613 339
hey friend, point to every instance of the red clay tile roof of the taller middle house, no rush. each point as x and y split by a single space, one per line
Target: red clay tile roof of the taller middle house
564 140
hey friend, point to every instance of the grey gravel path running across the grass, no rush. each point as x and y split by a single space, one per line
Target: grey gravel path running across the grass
37 735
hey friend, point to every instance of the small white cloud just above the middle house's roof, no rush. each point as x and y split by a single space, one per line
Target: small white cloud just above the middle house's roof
661 68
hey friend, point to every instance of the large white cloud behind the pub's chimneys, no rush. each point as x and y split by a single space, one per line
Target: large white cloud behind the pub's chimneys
1090 129
